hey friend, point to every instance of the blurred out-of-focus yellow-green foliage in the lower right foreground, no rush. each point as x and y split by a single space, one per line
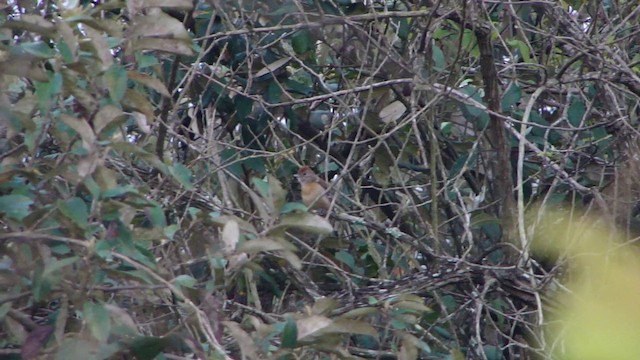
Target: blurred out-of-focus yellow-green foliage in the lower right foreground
599 318
